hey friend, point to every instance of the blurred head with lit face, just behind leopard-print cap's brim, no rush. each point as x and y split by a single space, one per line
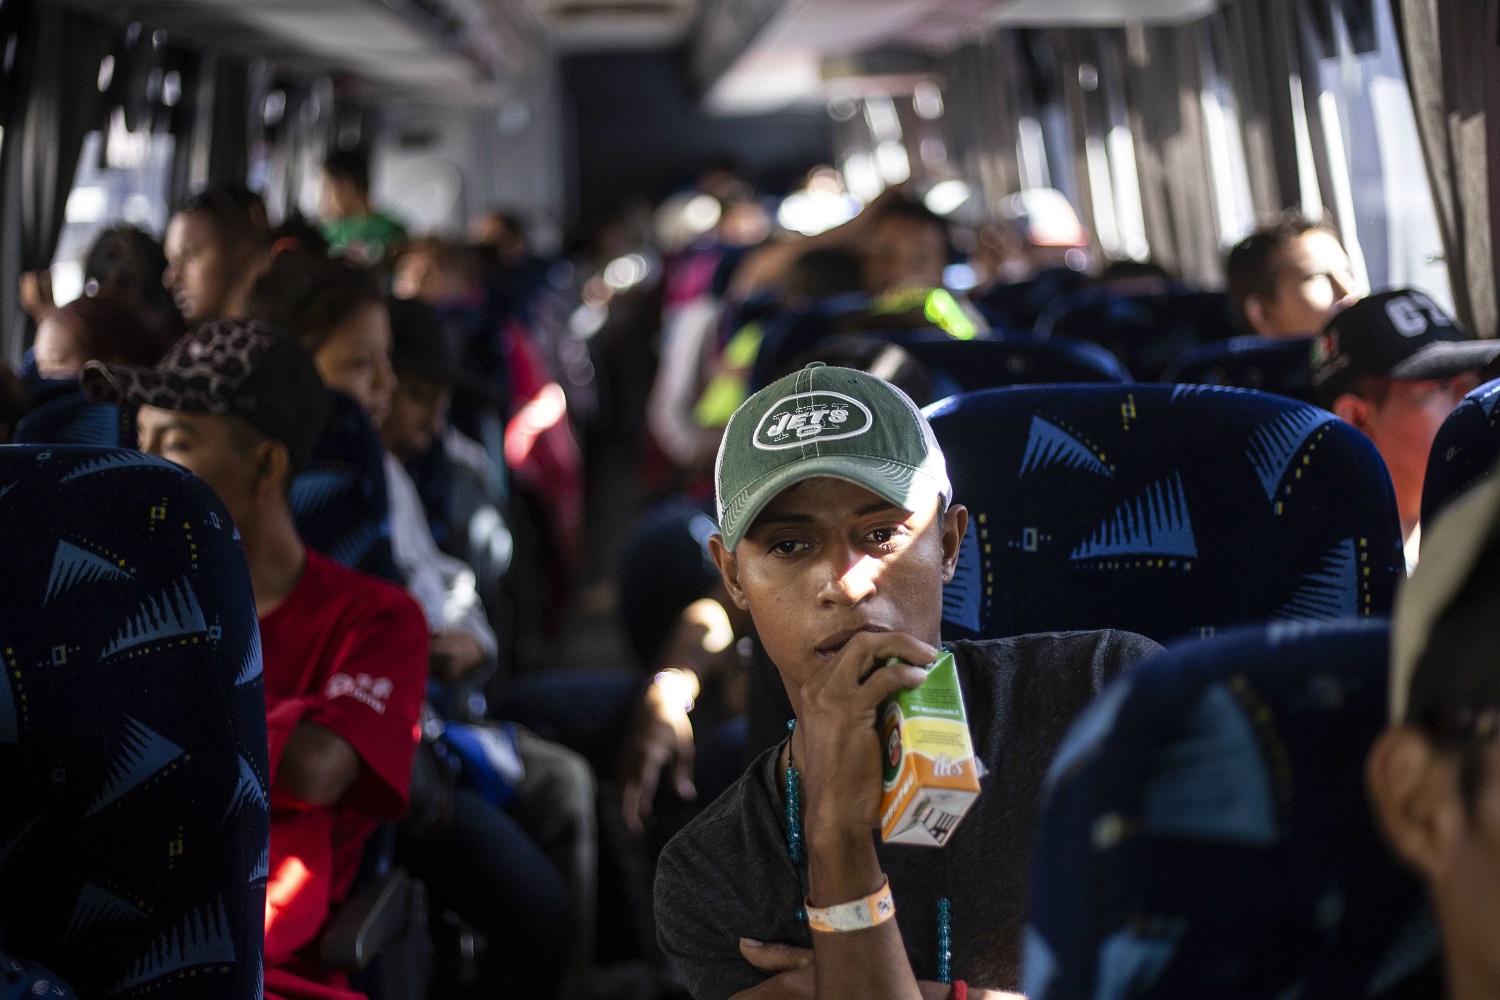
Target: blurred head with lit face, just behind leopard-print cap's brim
94 329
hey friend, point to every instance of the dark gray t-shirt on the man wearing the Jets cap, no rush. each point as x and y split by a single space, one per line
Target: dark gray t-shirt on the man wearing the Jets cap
728 875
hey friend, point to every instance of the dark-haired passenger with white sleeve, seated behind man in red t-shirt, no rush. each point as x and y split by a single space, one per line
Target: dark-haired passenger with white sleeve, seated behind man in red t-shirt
338 316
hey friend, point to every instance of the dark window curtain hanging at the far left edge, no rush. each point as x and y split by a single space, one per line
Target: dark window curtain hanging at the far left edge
59 56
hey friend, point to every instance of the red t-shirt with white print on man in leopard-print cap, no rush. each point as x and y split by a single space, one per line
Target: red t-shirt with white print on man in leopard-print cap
349 653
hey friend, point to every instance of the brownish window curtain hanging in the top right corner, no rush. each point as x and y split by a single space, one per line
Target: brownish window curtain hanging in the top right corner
1454 74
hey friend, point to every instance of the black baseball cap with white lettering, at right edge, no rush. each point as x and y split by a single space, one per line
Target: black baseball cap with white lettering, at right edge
1400 335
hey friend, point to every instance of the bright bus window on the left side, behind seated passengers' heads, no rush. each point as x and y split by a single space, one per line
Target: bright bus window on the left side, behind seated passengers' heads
128 184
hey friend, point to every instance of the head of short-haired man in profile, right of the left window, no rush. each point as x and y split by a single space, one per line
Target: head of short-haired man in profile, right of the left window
215 248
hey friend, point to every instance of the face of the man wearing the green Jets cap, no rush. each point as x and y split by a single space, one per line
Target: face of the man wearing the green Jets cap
827 560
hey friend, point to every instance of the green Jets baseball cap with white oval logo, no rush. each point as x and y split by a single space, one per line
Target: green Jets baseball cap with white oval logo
826 422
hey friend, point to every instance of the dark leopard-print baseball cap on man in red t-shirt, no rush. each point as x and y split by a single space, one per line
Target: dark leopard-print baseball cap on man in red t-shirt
242 368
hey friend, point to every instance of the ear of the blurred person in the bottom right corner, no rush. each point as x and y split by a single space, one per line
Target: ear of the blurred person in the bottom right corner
1415 792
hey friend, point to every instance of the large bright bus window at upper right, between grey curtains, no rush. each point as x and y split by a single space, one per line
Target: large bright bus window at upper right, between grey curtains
1381 193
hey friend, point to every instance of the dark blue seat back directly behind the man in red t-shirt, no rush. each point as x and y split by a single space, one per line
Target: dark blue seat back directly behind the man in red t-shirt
340 501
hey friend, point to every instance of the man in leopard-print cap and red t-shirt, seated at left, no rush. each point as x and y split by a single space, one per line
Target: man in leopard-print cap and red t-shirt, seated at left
346 656
